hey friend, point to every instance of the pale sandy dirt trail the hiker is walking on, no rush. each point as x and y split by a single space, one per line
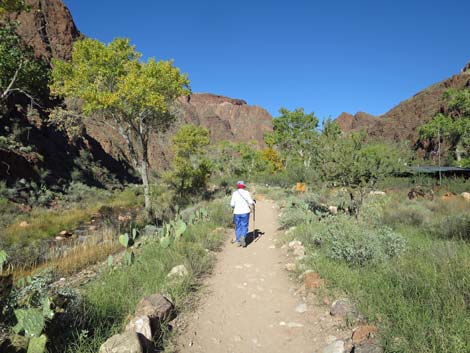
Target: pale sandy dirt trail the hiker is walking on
251 305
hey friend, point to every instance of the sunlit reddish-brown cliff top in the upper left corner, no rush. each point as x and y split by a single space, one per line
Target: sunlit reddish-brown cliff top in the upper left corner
49 28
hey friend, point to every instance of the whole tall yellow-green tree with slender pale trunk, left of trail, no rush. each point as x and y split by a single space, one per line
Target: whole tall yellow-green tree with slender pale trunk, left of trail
125 93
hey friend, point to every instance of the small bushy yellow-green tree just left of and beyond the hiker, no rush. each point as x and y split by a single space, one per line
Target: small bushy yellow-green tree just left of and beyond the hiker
190 168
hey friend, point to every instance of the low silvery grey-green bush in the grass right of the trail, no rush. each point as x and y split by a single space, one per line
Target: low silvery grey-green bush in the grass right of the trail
357 243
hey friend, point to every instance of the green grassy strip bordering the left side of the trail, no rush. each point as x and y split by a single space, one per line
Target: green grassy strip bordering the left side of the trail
108 301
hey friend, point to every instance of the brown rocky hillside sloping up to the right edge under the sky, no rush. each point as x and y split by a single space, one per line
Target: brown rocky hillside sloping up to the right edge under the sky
402 122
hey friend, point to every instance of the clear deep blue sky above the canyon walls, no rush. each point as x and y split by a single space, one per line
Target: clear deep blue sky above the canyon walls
325 56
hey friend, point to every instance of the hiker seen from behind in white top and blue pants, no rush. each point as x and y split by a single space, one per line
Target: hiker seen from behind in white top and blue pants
241 202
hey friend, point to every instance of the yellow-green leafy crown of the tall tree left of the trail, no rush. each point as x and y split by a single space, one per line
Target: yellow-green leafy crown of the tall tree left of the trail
112 78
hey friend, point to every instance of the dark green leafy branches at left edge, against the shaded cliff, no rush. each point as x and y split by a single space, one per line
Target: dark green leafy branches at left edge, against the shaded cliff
20 70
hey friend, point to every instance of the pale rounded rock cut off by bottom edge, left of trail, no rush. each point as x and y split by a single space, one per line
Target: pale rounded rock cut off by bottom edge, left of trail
127 342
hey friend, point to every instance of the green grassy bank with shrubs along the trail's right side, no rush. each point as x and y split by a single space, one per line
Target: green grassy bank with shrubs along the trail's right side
404 263
